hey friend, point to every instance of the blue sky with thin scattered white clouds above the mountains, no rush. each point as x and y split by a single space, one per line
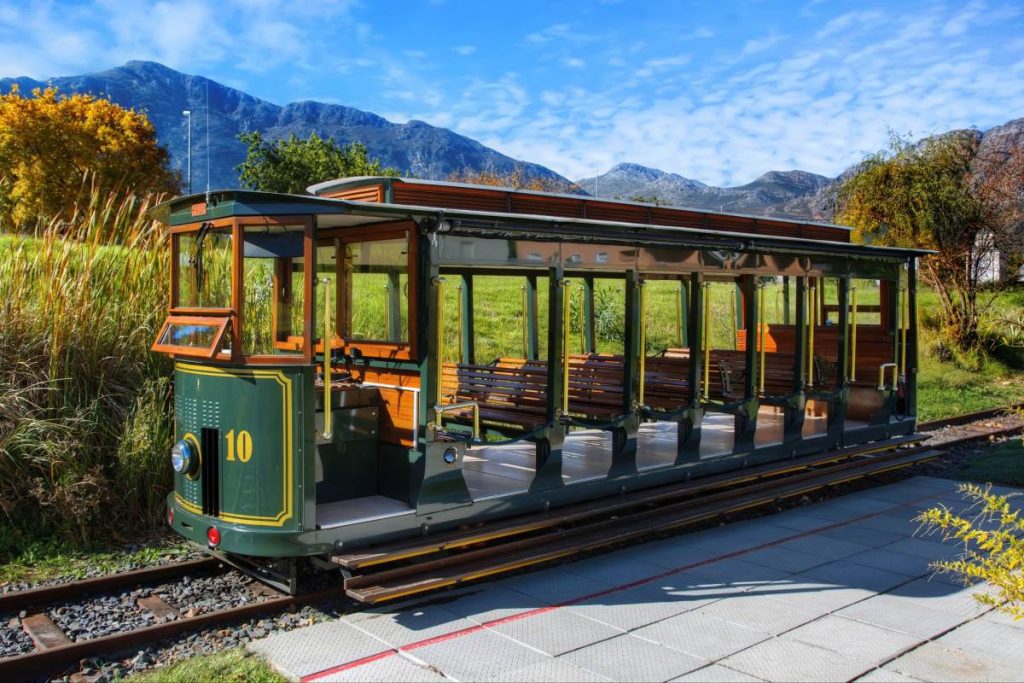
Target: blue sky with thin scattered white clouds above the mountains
717 92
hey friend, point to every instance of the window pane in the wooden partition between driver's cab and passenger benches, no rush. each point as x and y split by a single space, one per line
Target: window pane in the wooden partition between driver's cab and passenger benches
377 296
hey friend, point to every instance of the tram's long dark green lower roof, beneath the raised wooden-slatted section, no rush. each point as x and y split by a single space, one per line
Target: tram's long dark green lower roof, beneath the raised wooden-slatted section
340 214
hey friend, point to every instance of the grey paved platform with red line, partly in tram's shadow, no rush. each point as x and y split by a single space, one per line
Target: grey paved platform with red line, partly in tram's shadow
836 591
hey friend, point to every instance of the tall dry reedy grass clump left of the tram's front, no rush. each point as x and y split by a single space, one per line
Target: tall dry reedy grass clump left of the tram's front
86 408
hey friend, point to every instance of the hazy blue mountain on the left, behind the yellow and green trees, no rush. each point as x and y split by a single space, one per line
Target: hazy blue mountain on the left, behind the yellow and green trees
415 148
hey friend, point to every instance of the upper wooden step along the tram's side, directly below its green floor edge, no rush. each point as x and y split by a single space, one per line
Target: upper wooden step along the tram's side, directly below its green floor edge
404 550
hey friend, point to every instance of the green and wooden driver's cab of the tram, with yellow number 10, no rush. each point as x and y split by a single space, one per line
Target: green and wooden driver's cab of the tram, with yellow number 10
258 284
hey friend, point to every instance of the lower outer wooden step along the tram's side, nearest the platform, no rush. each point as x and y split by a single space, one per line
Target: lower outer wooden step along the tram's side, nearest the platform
481 564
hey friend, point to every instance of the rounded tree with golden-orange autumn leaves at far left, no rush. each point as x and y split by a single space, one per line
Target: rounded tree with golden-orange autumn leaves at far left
57 151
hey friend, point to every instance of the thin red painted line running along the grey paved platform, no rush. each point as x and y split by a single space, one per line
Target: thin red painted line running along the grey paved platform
609 591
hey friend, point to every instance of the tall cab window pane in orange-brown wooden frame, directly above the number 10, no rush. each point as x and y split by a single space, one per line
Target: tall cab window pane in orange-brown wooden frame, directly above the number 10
273 285
